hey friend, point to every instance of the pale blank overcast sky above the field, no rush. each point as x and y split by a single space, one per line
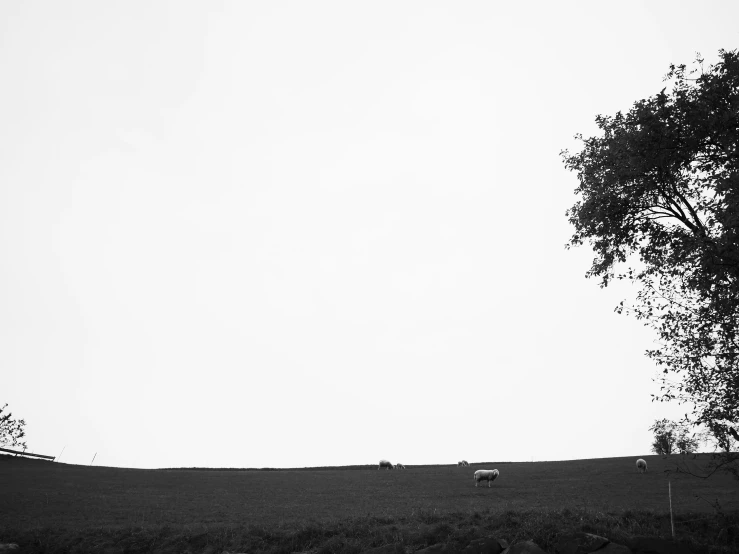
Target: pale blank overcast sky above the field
247 234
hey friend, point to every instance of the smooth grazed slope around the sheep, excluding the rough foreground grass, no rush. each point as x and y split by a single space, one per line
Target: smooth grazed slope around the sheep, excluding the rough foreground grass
38 494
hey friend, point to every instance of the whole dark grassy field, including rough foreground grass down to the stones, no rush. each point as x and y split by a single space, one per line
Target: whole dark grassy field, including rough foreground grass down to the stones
50 507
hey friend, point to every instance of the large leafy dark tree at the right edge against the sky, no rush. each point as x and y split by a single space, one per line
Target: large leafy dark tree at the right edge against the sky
658 201
